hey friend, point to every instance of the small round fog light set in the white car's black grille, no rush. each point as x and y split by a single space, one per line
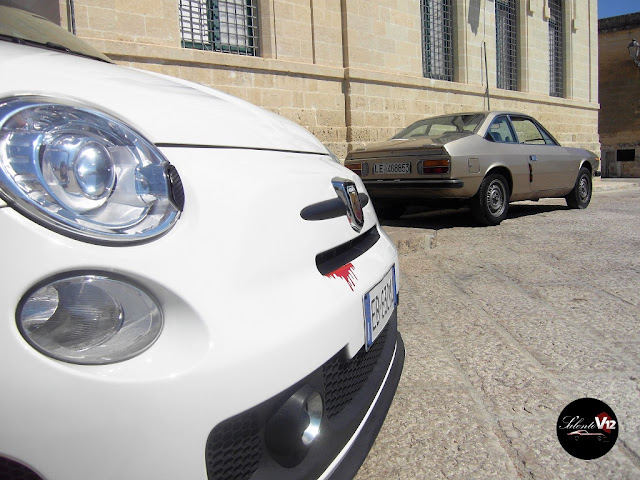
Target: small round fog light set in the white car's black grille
295 427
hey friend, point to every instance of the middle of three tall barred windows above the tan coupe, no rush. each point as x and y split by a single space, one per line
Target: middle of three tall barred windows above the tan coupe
506 44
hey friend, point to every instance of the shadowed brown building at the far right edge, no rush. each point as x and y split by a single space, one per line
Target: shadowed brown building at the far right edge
620 96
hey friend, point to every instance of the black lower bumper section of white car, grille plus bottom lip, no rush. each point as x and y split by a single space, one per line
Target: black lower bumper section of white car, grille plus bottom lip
357 395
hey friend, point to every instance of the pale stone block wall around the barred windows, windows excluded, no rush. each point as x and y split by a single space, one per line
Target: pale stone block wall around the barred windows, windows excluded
351 70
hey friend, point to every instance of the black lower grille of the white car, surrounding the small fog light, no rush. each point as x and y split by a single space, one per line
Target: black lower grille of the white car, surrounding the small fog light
236 448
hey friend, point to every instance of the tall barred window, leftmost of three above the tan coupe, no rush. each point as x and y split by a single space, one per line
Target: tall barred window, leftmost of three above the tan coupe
437 39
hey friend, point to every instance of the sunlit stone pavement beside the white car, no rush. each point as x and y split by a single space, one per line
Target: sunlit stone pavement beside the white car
504 326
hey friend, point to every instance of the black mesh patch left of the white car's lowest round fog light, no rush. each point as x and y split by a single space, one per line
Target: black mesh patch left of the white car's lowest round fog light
234 449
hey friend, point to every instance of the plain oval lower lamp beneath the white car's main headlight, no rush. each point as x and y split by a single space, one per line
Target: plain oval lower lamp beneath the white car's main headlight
89 319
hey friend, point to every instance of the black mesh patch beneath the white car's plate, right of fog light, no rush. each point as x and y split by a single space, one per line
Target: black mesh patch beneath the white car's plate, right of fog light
344 379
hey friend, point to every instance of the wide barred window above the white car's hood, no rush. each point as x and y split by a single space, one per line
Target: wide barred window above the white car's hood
223 26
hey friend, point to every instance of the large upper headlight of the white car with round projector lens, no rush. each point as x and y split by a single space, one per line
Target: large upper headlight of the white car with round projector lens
85 173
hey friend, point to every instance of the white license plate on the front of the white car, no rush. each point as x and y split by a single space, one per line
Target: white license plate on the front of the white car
379 304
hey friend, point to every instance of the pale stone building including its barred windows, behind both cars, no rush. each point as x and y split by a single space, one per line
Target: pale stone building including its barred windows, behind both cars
357 71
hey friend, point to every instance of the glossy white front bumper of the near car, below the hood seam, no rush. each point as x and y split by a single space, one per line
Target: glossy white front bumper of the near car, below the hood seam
246 318
